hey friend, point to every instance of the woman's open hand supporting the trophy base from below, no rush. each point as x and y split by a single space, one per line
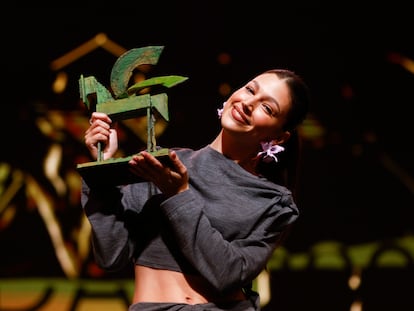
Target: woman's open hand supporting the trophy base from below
170 180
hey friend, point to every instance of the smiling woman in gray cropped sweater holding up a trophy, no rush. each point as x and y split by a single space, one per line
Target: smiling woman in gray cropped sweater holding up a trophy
202 229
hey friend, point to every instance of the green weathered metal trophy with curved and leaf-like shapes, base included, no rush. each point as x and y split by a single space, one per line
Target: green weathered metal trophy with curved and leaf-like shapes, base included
127 103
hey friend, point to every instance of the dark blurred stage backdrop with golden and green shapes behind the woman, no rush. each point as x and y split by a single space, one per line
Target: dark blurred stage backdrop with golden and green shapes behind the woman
353 246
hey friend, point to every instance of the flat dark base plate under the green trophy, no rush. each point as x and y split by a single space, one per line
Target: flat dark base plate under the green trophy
115 171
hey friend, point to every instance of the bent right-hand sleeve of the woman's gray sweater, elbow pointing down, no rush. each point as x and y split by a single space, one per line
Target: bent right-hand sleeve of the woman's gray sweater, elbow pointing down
225 262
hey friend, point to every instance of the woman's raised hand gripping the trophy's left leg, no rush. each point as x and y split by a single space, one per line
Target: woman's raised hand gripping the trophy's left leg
101 130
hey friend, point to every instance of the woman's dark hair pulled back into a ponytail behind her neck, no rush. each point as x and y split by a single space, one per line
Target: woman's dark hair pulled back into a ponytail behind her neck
285 170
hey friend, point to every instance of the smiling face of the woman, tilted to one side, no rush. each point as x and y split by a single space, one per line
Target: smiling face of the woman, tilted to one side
258 110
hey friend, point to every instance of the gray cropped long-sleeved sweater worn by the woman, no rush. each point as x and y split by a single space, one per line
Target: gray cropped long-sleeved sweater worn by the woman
224 228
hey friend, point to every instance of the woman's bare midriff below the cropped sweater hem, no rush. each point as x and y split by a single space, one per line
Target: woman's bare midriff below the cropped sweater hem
157 285
